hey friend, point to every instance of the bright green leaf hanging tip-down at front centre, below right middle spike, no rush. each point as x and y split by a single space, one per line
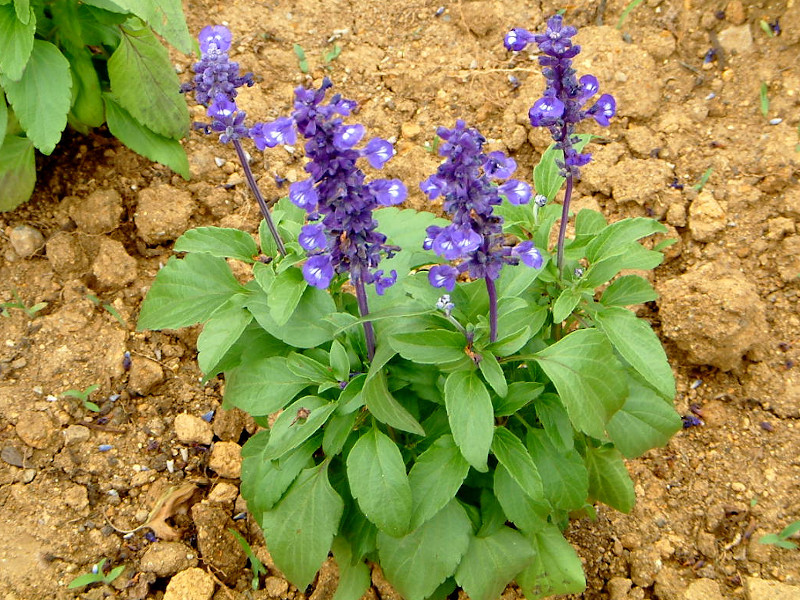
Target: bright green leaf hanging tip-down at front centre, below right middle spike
471 416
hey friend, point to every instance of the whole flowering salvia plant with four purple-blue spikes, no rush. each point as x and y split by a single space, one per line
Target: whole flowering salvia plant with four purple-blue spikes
445 393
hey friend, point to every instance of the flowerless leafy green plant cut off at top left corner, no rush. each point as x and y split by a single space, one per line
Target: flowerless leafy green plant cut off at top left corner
86 63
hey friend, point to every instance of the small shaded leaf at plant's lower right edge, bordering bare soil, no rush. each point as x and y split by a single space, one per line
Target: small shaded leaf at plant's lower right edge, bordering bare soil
609 481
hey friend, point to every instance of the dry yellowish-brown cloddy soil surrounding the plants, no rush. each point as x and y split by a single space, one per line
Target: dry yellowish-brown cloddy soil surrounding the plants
687 76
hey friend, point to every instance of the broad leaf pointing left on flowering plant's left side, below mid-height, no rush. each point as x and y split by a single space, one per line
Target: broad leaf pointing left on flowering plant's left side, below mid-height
262 386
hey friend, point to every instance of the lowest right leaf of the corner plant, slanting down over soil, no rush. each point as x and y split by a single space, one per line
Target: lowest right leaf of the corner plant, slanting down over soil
142 140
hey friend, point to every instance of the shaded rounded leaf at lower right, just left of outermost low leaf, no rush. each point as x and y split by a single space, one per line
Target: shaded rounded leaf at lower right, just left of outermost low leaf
564 477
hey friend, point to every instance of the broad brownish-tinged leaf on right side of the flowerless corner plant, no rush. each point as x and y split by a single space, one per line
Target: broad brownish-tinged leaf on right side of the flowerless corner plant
144 81
